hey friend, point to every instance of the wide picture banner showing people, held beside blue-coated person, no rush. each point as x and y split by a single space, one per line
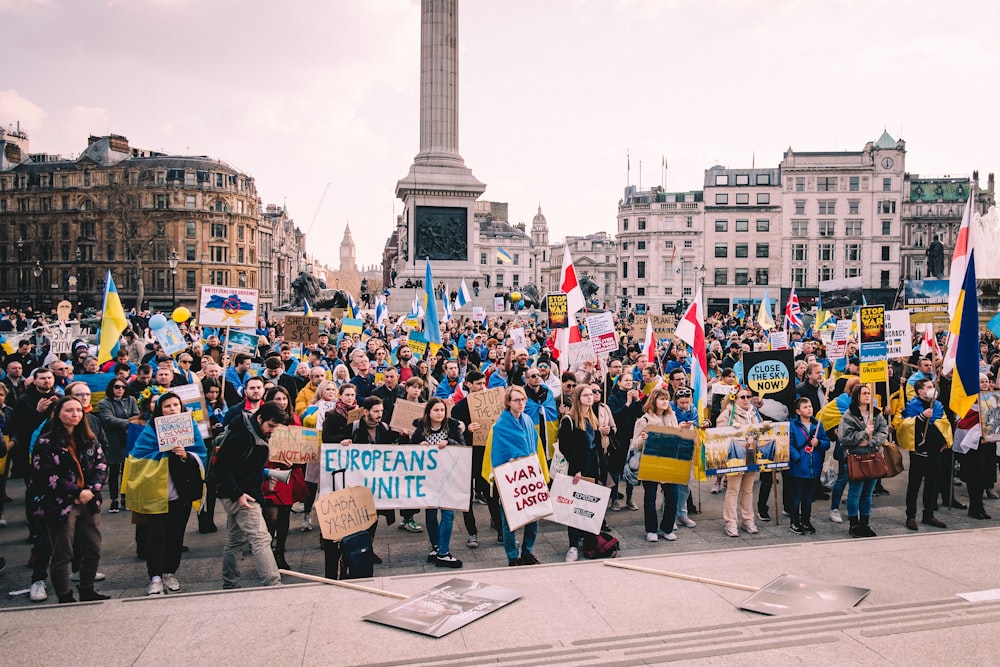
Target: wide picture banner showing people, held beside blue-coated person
732 449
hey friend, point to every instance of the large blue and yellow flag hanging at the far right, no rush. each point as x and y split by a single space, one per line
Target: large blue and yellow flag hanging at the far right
965 328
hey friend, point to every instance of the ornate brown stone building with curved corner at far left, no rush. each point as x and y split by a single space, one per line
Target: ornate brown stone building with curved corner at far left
163 224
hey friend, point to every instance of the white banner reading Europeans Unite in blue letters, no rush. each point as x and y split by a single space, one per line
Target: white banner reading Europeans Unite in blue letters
402 476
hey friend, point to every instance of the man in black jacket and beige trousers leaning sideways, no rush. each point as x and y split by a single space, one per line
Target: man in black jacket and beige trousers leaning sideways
239 474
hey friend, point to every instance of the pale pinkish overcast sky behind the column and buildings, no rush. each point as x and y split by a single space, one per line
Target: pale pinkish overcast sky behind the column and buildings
554 94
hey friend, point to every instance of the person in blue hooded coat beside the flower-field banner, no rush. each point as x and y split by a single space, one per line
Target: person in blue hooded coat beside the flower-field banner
808 444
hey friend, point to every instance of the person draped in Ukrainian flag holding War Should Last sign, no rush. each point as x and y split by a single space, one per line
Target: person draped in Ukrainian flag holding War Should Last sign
514 436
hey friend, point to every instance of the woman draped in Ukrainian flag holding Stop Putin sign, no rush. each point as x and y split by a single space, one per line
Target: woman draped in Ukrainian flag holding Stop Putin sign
161 488
